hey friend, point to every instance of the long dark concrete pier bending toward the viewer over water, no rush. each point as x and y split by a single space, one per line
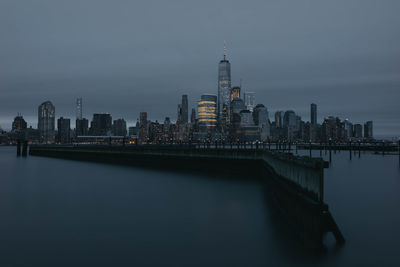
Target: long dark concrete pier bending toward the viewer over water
297 182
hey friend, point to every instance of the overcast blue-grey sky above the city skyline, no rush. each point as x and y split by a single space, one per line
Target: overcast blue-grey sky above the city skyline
124 56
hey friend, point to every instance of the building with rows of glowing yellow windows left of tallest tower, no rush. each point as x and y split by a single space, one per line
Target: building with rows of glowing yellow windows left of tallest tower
207 113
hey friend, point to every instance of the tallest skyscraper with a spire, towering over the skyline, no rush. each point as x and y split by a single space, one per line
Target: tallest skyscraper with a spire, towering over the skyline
224 83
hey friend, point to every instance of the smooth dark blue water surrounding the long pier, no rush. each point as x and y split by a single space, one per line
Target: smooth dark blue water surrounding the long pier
58 212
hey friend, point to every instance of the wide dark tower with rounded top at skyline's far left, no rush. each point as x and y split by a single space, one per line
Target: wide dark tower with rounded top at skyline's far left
46 122
